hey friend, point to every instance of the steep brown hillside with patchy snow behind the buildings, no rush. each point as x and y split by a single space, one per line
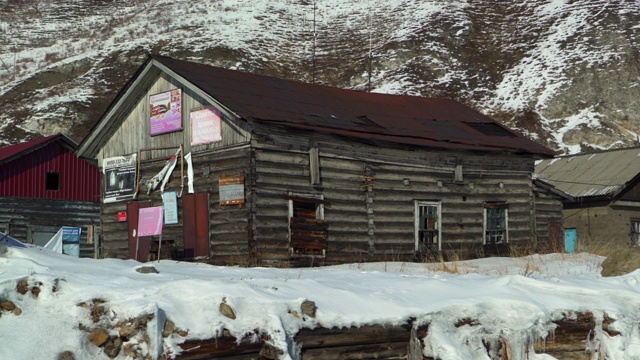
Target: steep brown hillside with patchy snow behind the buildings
564 72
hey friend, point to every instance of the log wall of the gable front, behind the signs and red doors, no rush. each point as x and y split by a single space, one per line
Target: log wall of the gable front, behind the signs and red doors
228 225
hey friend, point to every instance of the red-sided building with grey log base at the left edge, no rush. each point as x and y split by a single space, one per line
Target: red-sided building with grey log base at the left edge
44 186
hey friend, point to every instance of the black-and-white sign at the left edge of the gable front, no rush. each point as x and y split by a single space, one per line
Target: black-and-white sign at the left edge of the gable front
119 178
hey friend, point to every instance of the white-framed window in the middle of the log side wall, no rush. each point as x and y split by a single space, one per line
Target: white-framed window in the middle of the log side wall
428 226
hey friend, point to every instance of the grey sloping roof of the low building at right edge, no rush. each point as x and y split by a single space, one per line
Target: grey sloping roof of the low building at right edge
590 175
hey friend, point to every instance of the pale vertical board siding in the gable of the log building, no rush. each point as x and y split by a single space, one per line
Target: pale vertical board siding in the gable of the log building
134 132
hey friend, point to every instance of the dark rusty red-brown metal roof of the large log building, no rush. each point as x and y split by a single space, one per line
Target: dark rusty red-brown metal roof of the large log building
411 120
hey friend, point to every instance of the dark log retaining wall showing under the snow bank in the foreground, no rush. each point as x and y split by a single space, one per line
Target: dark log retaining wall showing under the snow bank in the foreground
572 339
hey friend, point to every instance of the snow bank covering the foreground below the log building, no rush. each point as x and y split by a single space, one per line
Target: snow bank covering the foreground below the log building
517 297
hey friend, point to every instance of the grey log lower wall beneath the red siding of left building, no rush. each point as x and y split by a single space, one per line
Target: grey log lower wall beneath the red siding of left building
20 217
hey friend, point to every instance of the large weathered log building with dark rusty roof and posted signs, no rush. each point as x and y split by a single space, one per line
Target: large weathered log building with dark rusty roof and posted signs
257 170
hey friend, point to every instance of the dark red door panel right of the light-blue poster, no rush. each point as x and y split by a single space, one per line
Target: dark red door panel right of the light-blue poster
195 229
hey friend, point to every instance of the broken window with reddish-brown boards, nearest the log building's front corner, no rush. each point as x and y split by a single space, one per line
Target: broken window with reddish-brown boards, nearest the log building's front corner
308 230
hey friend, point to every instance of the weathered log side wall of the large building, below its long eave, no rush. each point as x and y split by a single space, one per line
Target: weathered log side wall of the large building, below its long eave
372 190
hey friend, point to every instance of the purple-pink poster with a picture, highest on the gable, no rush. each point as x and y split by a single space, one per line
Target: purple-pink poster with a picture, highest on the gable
166 112
